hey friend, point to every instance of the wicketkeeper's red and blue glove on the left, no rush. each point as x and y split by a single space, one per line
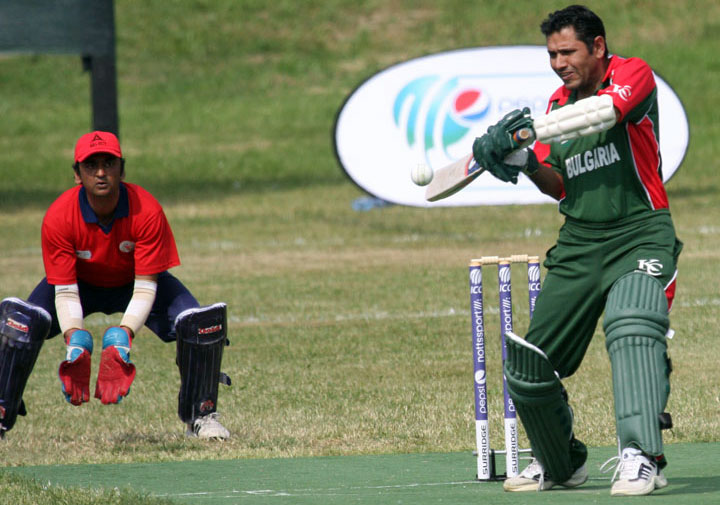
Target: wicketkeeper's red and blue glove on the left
74 372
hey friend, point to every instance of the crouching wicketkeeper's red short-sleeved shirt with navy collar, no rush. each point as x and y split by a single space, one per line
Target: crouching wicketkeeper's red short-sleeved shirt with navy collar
76 247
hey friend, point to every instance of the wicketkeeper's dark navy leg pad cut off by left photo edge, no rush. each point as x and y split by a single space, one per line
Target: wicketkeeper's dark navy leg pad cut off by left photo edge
23 329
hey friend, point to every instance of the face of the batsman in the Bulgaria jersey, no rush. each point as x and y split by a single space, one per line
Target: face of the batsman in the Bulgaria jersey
579 68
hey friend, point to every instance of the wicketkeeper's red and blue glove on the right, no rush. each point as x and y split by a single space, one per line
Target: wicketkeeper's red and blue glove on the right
116 371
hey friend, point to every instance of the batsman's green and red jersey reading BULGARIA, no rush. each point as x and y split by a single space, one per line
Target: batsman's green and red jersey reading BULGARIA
617 173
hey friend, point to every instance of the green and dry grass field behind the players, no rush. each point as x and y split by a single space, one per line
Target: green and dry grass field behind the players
350 331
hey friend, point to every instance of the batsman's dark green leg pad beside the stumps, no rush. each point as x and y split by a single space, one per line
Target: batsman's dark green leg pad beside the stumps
541 403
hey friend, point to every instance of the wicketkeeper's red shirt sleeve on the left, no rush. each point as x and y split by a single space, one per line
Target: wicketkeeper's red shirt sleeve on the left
57 247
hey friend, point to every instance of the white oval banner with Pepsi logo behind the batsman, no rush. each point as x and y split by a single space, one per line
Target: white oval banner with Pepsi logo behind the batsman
430 109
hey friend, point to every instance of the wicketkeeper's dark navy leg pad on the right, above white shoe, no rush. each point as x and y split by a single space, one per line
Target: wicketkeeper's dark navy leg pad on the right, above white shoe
201 337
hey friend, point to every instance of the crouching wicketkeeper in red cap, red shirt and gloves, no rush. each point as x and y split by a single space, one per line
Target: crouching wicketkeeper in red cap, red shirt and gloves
107 247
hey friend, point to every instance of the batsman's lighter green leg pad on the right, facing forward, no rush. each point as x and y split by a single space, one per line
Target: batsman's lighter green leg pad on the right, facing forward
636 323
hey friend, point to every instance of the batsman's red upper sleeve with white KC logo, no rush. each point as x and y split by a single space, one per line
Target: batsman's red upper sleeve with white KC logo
632 81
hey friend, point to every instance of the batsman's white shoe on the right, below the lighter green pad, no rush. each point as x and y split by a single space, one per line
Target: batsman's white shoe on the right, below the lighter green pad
639 475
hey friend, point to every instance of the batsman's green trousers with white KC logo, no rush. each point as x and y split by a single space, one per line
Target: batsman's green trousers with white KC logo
582 267
